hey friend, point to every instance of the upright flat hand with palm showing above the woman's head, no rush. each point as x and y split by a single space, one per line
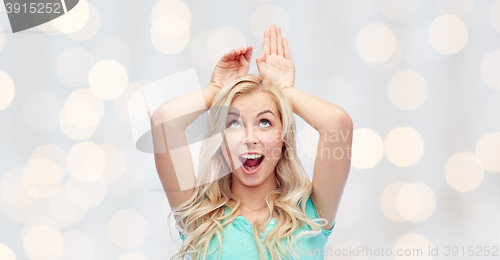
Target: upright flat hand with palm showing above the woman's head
276 59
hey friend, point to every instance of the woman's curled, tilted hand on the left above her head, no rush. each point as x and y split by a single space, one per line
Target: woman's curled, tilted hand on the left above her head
232 65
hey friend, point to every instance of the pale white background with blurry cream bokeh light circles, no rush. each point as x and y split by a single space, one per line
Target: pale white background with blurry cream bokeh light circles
420 79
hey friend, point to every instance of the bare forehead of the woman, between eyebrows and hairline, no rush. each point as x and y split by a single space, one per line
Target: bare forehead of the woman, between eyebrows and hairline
254 103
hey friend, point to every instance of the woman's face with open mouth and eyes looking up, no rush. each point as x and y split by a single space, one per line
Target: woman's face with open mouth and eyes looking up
253 126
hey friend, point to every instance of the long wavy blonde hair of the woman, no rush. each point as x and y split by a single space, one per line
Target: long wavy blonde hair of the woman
202 215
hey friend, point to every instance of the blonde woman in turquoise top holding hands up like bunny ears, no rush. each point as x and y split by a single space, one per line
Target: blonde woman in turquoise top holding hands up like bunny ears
267 207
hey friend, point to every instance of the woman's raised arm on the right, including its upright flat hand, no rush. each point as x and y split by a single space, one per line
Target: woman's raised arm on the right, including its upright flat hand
333 157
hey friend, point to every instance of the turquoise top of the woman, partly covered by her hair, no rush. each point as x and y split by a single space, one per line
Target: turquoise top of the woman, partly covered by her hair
239 243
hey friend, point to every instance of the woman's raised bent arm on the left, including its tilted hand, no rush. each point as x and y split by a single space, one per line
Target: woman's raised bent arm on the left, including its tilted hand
169 122
